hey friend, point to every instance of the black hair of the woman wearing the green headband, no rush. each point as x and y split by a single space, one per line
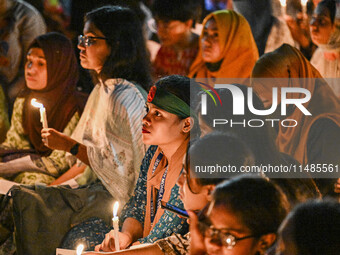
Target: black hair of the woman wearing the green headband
180 86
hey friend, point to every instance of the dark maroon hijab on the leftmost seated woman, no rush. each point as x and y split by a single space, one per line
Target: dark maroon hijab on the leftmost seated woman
59 97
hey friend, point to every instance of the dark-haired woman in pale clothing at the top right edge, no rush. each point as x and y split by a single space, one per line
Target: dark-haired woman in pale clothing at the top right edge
325 33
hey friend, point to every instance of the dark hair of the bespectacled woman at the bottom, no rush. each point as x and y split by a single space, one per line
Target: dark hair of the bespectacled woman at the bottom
259 204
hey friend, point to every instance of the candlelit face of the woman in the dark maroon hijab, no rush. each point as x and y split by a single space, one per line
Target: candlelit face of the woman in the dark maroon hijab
36 69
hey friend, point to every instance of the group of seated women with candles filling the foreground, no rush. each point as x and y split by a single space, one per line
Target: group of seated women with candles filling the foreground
141 135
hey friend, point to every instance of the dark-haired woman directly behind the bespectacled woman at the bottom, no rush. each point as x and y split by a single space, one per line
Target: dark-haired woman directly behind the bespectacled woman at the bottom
194 189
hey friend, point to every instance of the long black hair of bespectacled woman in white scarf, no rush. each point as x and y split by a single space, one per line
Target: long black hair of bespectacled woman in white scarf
128 58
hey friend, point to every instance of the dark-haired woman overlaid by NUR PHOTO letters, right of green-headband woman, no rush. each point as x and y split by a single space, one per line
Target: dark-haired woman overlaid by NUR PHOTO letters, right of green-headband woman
260 140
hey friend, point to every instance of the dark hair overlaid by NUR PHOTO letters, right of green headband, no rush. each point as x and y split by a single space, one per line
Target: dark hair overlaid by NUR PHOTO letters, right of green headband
259 139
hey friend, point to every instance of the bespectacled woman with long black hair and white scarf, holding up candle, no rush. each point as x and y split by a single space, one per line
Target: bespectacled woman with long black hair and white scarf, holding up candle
108 137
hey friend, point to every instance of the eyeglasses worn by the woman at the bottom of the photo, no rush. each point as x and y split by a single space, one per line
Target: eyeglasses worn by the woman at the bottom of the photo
218 236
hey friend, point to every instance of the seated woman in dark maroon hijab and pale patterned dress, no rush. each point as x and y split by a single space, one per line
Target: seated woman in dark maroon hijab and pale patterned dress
51 74
